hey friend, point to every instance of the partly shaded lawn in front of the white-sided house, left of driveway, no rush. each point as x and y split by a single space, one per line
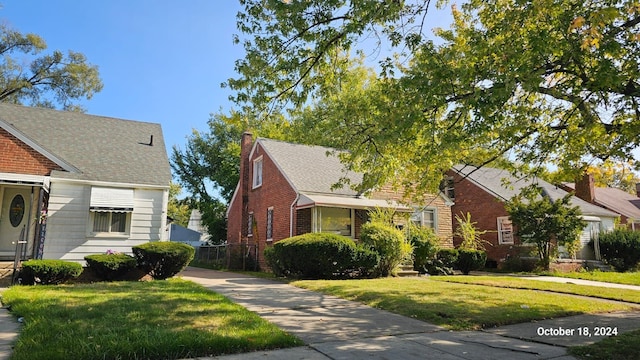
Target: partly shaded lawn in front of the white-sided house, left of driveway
169 319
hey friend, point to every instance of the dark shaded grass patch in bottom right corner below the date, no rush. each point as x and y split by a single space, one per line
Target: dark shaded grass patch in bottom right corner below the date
622 347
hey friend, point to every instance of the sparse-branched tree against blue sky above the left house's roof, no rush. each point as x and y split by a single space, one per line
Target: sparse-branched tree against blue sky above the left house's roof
48 79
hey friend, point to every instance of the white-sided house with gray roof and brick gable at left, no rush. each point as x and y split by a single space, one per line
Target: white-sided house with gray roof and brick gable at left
74 184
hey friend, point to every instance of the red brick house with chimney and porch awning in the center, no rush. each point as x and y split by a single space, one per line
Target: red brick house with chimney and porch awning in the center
288 189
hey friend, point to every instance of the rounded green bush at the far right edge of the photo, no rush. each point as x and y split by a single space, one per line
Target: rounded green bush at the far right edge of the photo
620 248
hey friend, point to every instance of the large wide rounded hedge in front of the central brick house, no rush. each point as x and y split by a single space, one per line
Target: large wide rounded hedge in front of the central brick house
320 256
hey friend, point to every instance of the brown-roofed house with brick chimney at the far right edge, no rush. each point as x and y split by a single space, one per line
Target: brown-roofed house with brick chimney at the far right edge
616 200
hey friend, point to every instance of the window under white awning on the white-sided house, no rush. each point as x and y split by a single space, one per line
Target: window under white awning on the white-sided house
110 211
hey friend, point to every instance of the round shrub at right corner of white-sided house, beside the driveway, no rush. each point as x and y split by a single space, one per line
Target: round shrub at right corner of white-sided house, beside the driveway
163 259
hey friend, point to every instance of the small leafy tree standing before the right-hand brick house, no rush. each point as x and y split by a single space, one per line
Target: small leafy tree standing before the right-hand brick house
539 220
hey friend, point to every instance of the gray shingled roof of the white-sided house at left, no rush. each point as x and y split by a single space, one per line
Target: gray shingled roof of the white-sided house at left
101 148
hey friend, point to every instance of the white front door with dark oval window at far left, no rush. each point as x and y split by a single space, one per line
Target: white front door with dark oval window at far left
14 216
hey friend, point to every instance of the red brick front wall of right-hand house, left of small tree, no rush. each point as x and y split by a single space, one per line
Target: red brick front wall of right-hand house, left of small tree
485 210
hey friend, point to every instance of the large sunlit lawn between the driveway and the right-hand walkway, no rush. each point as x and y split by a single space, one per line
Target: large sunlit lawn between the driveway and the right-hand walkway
459 306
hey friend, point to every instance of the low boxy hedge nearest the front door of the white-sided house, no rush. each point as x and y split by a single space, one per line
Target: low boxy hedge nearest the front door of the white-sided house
49 272
